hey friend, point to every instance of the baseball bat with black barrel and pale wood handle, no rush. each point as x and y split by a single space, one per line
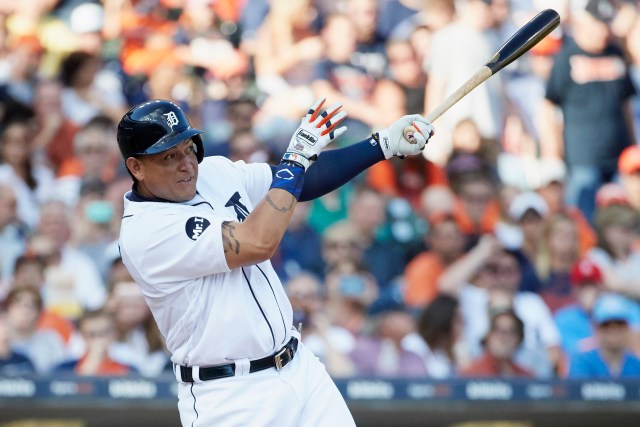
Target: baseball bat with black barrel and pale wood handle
520 42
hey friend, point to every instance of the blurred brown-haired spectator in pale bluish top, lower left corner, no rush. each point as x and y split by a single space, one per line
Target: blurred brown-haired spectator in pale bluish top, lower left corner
43 347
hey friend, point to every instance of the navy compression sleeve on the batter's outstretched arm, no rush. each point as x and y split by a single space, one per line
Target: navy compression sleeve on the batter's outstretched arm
336 167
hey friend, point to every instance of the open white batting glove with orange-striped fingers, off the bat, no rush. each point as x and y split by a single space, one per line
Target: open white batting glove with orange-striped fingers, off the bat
317 129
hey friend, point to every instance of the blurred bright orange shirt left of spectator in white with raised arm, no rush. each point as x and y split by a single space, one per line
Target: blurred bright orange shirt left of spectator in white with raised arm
421 279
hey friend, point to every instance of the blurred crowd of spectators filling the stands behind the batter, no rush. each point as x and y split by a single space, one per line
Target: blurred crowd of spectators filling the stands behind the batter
511 248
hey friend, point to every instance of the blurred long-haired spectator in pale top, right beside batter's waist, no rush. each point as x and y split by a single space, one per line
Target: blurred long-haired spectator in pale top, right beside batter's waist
138 342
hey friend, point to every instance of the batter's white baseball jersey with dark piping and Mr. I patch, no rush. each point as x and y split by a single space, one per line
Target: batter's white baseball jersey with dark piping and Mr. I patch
207 313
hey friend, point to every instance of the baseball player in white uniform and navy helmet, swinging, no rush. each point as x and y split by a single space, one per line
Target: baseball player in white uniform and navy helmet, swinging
197 234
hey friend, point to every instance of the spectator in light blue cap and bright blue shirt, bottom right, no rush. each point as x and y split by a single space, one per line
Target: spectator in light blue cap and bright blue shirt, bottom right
613 357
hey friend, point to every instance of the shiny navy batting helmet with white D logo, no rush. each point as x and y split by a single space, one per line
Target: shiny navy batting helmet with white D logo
155 126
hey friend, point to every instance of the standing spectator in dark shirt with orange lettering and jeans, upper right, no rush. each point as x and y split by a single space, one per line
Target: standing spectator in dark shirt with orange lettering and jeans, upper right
590 83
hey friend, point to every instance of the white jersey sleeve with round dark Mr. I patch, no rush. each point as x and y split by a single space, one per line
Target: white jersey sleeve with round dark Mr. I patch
173 246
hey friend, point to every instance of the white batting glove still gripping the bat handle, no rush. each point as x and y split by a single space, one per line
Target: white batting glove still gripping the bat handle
393 141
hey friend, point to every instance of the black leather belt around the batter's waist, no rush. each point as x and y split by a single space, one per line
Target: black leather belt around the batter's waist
278 360
